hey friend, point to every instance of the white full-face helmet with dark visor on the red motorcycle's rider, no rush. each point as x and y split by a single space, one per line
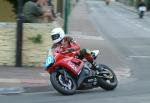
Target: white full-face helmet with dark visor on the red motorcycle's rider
57 35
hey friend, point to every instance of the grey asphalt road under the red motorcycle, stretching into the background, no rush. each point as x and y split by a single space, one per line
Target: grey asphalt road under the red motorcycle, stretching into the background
127 38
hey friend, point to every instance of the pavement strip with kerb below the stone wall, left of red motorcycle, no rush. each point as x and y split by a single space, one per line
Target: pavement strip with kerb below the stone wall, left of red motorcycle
23 80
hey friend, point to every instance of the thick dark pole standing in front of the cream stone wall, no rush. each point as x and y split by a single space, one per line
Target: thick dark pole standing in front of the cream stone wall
19 33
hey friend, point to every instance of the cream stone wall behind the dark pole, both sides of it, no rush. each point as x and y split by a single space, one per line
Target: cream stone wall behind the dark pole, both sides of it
36 42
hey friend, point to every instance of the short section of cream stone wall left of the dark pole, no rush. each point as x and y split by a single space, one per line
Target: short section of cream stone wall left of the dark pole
7 43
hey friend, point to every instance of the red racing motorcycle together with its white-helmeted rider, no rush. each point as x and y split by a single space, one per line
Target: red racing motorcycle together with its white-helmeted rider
70 68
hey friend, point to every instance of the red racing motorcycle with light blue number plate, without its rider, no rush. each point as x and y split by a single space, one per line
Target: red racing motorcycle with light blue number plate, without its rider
69 73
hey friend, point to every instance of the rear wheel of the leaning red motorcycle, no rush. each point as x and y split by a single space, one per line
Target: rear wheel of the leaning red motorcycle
107 78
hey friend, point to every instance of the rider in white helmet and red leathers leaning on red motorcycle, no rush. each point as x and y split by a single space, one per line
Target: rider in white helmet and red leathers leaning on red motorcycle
66 44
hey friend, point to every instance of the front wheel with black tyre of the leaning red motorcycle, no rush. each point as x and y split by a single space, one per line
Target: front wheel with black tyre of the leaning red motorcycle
63 82
